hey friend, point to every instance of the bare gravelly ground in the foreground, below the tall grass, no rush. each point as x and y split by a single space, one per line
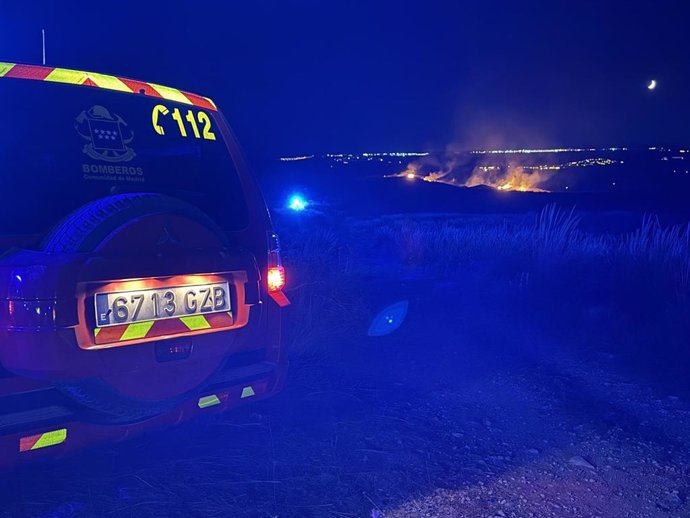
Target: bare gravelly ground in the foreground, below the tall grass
454 415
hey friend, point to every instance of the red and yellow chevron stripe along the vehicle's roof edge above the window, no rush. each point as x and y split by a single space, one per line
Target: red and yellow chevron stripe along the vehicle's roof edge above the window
120 84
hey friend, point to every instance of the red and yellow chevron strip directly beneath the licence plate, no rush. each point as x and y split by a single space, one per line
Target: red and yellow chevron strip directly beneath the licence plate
166 327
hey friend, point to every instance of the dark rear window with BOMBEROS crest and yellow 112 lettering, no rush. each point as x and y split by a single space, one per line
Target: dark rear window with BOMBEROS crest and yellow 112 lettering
62 146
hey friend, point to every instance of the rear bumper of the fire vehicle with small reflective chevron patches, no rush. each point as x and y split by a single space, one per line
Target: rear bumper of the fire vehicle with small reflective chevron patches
53 431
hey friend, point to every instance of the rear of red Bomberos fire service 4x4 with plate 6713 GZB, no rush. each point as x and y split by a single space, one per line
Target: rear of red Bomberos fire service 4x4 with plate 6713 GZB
140 279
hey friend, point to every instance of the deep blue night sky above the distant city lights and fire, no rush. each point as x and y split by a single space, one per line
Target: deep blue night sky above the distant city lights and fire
314 76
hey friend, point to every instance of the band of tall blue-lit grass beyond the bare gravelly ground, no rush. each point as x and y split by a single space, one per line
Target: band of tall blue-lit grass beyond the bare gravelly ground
547 258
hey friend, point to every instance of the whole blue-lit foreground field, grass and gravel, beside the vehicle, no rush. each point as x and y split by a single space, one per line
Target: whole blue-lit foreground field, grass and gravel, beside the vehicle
541 371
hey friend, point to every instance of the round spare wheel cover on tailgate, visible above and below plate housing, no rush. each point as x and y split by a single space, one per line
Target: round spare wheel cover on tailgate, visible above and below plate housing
138 385
